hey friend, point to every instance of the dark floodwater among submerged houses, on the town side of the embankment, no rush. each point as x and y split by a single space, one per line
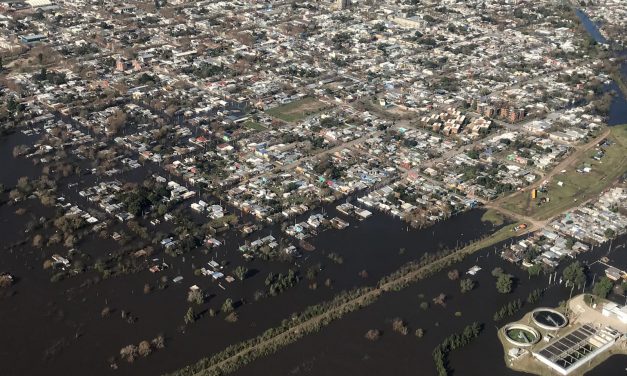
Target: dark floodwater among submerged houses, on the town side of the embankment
57 328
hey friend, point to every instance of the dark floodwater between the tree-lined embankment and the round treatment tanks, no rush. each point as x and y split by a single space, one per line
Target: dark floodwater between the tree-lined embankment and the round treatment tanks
340 348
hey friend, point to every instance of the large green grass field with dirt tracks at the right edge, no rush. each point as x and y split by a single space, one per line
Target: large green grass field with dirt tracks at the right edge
577 187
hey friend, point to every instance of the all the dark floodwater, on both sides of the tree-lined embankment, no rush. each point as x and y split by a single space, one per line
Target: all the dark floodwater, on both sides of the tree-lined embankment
57 328
